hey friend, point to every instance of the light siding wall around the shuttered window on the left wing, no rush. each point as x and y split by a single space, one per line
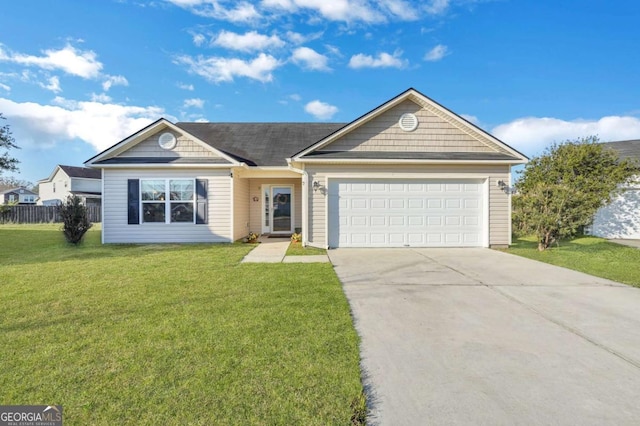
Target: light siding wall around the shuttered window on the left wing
116 229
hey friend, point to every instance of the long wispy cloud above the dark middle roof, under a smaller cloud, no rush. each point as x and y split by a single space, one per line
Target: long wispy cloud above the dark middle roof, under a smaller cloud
217 69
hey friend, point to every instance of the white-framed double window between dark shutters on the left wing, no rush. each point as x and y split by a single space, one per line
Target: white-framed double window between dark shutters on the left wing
167 200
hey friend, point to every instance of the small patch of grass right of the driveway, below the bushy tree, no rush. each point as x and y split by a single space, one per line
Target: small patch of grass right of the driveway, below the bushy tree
594 256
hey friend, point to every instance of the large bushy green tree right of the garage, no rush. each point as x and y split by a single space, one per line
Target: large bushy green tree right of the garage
560 191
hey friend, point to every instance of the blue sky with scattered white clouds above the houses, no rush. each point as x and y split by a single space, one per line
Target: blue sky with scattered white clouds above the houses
78 76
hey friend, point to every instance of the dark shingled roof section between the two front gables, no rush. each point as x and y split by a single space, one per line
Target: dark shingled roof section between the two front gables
261 144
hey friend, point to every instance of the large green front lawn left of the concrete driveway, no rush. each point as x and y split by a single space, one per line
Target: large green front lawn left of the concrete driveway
171 334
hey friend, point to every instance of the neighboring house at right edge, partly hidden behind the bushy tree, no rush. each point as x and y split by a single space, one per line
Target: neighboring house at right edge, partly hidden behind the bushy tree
621 218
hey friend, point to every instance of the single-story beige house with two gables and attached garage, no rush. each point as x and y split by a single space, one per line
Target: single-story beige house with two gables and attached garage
408 173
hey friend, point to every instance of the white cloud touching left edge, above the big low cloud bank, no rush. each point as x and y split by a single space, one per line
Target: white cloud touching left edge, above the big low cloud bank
68 59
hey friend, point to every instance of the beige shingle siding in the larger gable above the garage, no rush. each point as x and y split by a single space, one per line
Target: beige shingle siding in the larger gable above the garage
434 134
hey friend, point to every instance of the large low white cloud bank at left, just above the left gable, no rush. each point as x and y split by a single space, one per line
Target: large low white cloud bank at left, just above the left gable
98 124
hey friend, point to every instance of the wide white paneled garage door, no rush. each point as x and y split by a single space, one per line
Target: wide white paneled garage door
406 213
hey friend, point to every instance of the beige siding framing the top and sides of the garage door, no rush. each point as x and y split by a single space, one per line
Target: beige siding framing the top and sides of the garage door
499 214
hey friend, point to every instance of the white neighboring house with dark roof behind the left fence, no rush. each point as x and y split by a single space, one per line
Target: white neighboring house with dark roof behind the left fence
69 180
